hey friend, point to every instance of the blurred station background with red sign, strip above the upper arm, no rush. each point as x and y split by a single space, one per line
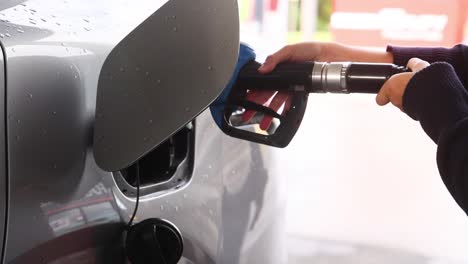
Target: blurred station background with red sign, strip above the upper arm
360 22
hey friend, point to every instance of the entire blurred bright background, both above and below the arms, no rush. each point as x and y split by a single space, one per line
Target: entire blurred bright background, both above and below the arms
363 185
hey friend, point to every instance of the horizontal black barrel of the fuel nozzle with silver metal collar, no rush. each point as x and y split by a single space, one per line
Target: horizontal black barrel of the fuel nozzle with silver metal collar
319 77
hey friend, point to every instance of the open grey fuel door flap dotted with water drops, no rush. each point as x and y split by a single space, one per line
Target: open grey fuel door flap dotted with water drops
161 76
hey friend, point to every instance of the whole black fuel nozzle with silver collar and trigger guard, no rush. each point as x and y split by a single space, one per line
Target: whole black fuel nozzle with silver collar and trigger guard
299 79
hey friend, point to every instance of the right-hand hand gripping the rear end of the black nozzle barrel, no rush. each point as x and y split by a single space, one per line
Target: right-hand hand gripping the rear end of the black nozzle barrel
394 88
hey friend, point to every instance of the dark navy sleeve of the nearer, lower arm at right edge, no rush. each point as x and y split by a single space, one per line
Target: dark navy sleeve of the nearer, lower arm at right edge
437 98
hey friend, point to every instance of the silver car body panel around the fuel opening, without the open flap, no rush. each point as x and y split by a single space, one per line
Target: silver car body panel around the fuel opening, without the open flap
63 208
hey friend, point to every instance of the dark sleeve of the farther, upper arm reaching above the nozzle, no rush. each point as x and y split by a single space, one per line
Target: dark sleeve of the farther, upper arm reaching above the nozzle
456 56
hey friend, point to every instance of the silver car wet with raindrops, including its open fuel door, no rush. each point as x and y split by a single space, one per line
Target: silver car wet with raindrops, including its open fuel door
103 106
